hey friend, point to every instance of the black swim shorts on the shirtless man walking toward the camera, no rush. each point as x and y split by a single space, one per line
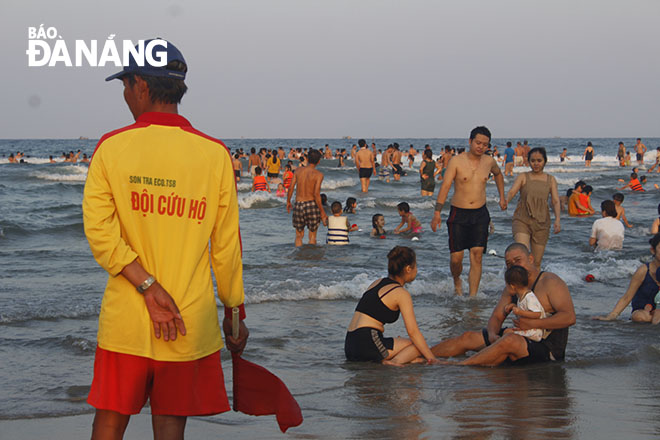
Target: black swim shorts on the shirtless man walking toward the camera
468 228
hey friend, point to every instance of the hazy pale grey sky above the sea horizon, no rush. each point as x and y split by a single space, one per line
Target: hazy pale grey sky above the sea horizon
360 68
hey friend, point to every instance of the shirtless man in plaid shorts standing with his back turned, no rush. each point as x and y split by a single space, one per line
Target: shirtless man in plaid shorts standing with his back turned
308 210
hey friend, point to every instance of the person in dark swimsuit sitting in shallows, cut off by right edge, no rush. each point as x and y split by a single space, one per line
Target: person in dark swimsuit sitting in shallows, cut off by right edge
642 291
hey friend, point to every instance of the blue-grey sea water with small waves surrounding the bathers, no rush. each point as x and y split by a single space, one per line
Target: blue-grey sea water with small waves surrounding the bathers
299 303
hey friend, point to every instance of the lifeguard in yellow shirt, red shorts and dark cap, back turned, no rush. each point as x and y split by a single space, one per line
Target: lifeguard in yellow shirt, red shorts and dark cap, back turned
159 337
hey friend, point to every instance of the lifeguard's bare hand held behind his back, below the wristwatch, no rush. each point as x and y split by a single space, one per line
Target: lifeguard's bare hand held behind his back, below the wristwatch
163 312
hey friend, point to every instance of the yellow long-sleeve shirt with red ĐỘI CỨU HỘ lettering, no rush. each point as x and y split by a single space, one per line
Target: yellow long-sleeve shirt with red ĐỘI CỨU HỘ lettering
164 193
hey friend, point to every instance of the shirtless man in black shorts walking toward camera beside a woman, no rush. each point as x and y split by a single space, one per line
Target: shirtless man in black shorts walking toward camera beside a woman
469 218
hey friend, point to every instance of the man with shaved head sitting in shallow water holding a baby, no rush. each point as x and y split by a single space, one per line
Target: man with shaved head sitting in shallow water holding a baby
495 345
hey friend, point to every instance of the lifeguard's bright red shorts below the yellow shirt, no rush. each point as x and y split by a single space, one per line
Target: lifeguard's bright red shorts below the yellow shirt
122 383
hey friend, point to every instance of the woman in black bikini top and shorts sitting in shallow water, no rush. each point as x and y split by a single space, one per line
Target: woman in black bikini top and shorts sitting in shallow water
381 304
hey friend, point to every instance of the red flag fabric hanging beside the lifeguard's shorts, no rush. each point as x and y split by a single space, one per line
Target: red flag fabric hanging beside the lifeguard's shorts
259 392
